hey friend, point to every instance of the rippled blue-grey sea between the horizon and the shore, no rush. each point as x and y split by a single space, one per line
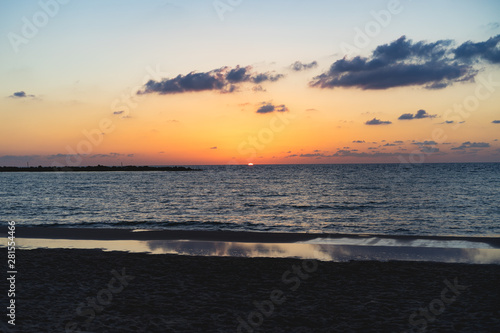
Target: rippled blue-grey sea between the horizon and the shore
427 199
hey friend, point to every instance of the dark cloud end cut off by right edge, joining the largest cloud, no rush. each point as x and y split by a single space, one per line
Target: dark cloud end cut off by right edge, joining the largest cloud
488 50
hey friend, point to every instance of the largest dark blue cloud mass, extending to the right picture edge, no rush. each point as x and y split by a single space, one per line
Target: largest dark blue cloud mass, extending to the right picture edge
404 63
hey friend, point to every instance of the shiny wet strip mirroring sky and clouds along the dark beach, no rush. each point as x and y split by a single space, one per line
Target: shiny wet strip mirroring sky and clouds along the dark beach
324 252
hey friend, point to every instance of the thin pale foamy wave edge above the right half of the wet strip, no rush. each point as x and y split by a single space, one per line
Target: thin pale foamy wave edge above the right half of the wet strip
376 241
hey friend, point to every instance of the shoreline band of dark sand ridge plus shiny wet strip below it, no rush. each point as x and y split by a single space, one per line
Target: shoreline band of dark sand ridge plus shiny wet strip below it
323 247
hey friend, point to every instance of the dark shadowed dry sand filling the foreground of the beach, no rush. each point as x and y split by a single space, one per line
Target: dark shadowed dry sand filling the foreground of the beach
172 293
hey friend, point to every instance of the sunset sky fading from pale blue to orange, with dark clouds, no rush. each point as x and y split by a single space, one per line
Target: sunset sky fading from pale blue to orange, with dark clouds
202 82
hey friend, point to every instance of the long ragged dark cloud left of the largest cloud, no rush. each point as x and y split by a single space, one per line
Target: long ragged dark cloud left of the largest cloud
224 79
